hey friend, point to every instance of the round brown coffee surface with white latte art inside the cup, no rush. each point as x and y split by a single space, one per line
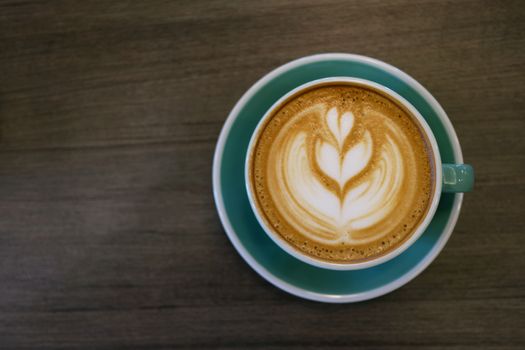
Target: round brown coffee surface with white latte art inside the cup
342 172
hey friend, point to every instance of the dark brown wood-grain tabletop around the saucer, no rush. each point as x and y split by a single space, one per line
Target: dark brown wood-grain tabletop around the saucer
109 114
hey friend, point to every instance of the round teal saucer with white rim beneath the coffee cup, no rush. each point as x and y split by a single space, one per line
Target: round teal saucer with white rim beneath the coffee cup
259 251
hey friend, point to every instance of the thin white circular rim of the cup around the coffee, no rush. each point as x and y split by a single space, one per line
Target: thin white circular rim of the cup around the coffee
287 247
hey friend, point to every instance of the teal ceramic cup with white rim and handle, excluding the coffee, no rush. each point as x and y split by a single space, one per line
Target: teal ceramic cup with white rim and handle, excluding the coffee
450 178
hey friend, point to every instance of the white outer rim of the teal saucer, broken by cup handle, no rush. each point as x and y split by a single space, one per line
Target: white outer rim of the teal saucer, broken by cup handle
260 269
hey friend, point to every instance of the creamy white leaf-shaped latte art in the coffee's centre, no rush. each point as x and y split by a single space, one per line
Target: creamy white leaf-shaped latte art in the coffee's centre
326 205
